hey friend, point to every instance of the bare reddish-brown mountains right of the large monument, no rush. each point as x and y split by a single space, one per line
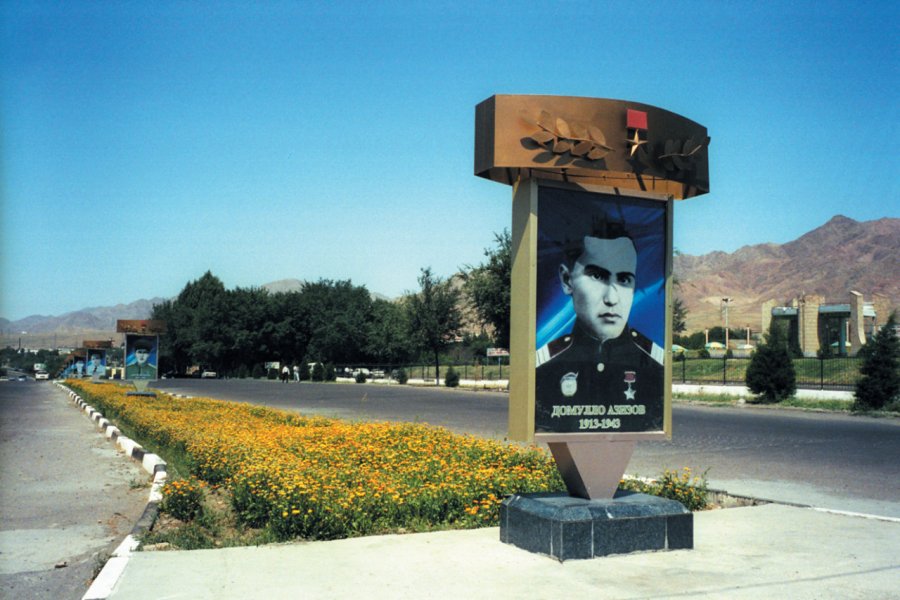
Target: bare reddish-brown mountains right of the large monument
830 261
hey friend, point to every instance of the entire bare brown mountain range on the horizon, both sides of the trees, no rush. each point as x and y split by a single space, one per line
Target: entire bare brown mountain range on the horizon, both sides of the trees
841 255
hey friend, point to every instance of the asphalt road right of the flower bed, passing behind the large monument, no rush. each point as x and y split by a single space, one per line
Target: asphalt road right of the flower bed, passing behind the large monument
826 460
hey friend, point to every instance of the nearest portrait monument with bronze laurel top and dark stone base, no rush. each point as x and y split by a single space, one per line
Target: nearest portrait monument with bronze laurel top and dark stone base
594 182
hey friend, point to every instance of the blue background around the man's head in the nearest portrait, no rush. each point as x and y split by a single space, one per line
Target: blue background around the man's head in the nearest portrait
566 211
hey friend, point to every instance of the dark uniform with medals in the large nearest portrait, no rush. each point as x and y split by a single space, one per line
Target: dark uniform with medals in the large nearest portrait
583 385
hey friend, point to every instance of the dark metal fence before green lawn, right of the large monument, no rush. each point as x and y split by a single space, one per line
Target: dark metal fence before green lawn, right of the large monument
837 373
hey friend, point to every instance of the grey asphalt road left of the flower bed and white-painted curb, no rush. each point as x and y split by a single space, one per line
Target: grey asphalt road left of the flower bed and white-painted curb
66 496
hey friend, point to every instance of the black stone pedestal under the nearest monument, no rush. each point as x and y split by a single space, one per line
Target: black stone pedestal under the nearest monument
564 527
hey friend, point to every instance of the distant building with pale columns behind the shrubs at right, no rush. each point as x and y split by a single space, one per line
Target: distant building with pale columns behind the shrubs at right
839 328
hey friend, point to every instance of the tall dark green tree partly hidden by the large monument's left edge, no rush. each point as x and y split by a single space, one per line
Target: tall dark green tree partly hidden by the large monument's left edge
488 287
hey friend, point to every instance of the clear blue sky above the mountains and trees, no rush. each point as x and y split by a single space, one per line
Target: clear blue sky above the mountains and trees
146 143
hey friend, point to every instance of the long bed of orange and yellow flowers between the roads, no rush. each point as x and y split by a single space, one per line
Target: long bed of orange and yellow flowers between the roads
320 478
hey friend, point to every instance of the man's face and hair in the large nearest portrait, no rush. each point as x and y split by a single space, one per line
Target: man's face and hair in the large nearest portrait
601 283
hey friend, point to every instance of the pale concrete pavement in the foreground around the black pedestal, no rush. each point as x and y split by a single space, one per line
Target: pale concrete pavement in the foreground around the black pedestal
773 551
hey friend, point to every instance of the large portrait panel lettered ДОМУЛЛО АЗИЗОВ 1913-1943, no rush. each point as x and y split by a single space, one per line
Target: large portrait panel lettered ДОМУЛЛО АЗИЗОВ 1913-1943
601 312
